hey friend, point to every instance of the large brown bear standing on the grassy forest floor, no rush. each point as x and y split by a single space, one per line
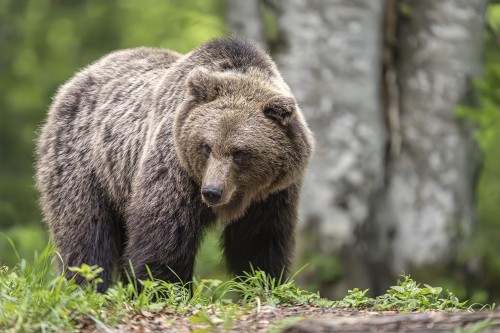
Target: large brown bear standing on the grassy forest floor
146 148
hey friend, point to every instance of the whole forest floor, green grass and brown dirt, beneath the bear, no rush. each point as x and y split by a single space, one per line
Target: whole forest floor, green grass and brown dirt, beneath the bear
33 300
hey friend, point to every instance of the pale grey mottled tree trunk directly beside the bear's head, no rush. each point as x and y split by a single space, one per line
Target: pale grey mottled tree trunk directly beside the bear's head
332 60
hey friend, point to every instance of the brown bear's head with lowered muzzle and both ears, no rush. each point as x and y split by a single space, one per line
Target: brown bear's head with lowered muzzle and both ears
240 137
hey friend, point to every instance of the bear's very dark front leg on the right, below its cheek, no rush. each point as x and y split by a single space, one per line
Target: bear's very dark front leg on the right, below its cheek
264 237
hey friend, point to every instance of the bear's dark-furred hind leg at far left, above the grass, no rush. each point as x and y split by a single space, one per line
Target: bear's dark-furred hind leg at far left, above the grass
84 227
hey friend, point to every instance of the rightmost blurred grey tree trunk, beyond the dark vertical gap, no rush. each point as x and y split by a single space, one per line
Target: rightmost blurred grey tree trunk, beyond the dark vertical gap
428 209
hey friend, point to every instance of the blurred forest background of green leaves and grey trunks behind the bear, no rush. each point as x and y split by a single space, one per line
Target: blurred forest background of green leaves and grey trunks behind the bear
403 97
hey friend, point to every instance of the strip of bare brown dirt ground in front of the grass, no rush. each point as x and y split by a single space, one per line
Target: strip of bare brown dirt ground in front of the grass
309 319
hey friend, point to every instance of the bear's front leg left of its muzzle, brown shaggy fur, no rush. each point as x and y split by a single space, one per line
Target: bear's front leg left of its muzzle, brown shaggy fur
165 221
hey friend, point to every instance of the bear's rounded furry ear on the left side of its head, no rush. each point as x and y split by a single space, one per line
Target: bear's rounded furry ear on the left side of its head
203 86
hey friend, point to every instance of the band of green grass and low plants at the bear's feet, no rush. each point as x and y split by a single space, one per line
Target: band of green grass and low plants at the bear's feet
33 299
